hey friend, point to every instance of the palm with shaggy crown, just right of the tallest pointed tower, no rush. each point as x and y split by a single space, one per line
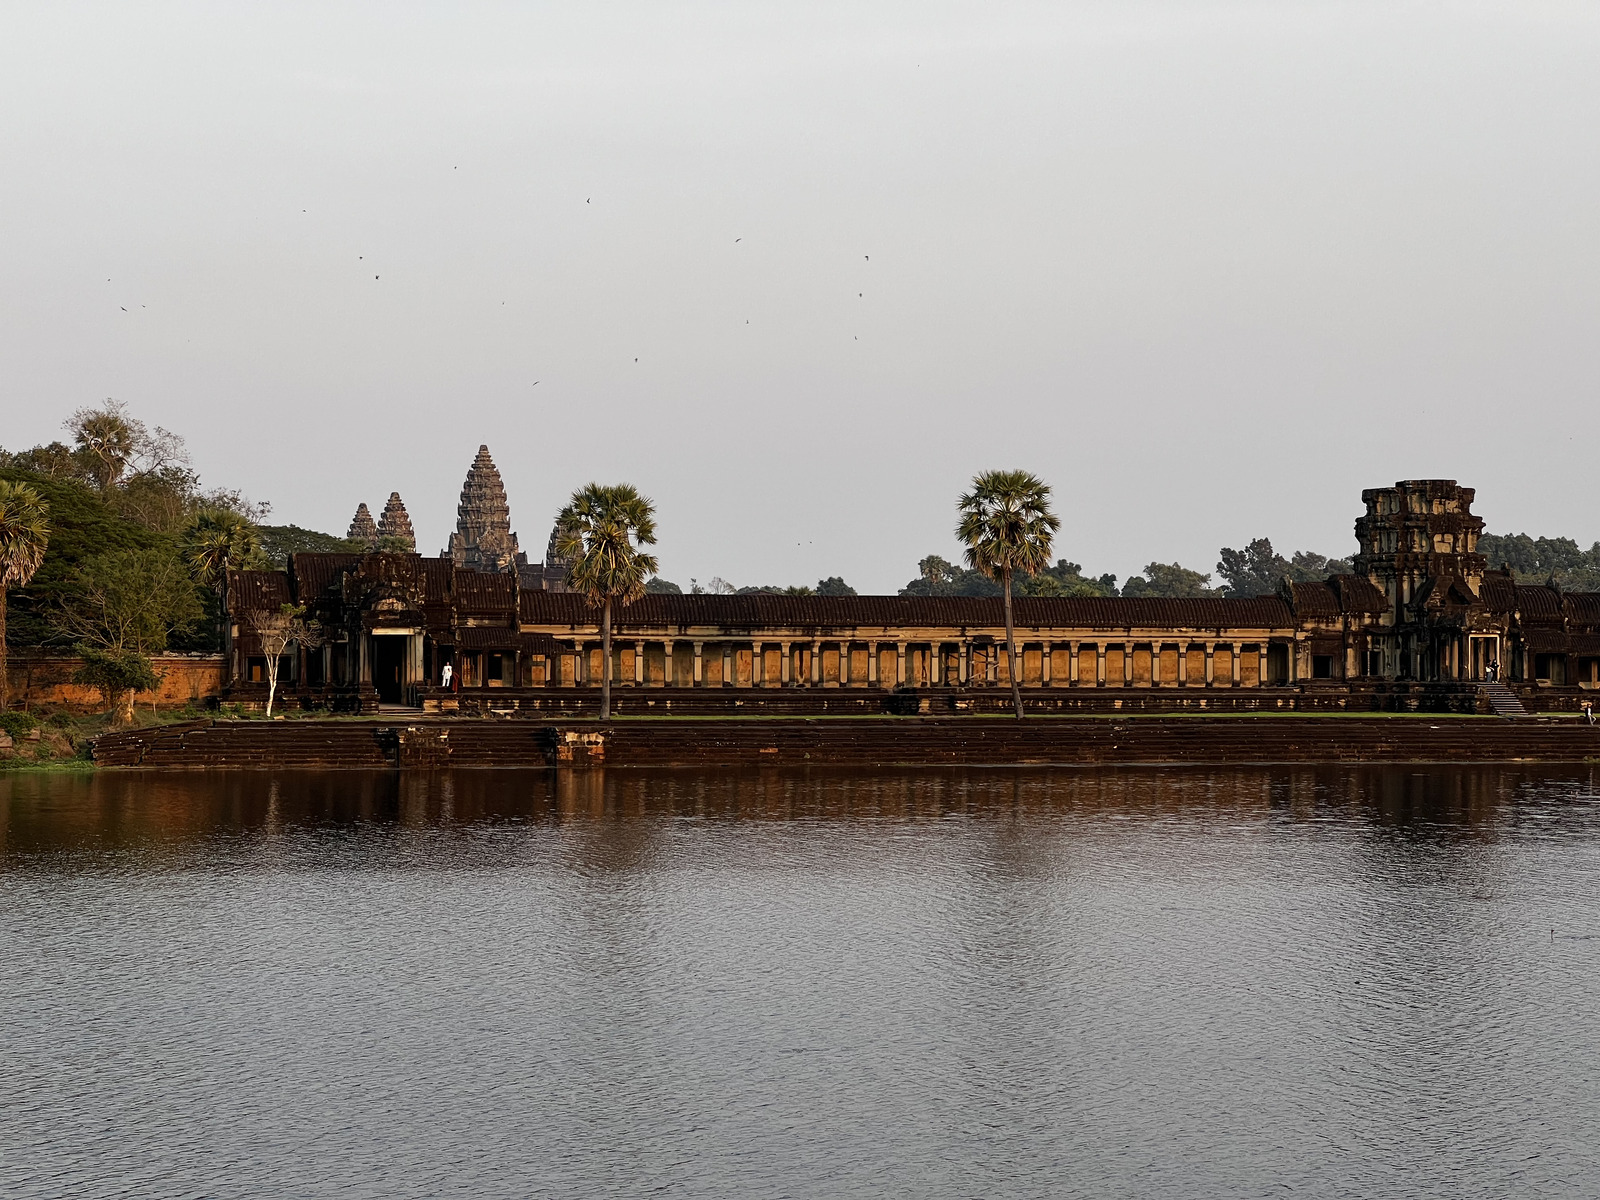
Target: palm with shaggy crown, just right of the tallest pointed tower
599 535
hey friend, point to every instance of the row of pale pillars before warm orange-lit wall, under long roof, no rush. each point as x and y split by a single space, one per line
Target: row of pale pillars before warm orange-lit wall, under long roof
958 662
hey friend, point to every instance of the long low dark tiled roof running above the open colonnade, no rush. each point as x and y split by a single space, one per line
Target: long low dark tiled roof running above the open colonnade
569 609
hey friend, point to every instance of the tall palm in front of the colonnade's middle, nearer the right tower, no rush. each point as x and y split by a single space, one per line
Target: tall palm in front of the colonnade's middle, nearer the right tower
1009 527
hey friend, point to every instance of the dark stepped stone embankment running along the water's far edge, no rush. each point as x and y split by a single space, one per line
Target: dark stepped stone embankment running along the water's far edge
847 742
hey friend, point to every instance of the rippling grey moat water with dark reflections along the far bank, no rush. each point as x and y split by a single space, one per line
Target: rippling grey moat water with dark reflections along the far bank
980 983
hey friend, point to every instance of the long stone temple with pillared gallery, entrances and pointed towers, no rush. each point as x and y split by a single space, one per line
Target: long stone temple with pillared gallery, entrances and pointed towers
1422 618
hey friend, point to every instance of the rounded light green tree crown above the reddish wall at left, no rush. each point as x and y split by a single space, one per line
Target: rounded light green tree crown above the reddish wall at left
130 601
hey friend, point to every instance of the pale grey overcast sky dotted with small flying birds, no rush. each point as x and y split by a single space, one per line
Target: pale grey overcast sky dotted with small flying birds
799 271
